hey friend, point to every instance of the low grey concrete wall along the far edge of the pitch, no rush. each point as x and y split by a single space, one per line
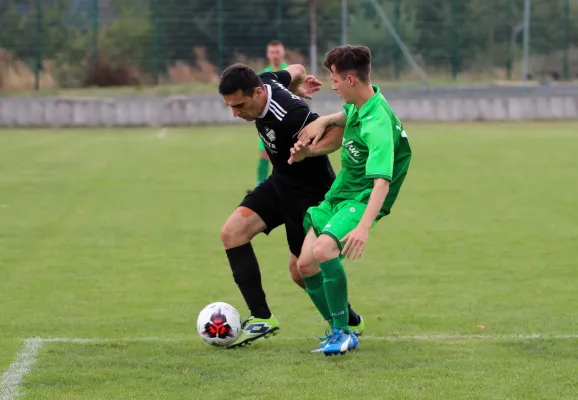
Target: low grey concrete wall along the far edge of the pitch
183 110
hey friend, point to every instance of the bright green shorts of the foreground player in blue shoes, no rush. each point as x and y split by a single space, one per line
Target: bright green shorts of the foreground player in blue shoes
335 219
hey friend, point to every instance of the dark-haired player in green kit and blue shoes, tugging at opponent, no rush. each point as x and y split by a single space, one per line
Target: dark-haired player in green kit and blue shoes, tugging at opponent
375 157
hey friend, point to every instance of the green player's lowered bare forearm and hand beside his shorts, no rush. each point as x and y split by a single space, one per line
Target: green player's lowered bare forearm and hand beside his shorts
357 238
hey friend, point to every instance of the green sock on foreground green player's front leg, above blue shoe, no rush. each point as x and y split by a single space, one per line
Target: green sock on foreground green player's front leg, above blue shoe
335 283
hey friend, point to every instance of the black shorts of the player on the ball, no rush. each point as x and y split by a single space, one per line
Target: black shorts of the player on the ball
277 204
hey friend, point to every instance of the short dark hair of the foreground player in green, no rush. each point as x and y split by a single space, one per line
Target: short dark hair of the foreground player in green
349 58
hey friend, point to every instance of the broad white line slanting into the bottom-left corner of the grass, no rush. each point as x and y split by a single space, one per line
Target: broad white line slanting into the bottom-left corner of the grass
21 366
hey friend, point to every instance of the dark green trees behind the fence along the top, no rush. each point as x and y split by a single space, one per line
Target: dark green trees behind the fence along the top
462 35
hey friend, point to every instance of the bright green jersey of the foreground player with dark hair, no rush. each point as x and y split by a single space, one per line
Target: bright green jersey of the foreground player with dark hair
374 145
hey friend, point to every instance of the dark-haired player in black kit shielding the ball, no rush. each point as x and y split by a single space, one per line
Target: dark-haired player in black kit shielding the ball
272 100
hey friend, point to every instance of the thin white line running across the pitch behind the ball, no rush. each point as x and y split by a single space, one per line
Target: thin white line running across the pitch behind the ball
393 338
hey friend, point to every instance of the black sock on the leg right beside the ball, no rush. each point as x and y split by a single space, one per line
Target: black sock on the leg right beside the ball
248 277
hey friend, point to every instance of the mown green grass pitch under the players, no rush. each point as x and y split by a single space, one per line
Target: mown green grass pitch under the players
113 235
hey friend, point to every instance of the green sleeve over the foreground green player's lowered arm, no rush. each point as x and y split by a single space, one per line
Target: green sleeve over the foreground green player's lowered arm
377 133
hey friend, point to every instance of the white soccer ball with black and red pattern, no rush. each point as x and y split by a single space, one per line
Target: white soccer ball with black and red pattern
219 324
